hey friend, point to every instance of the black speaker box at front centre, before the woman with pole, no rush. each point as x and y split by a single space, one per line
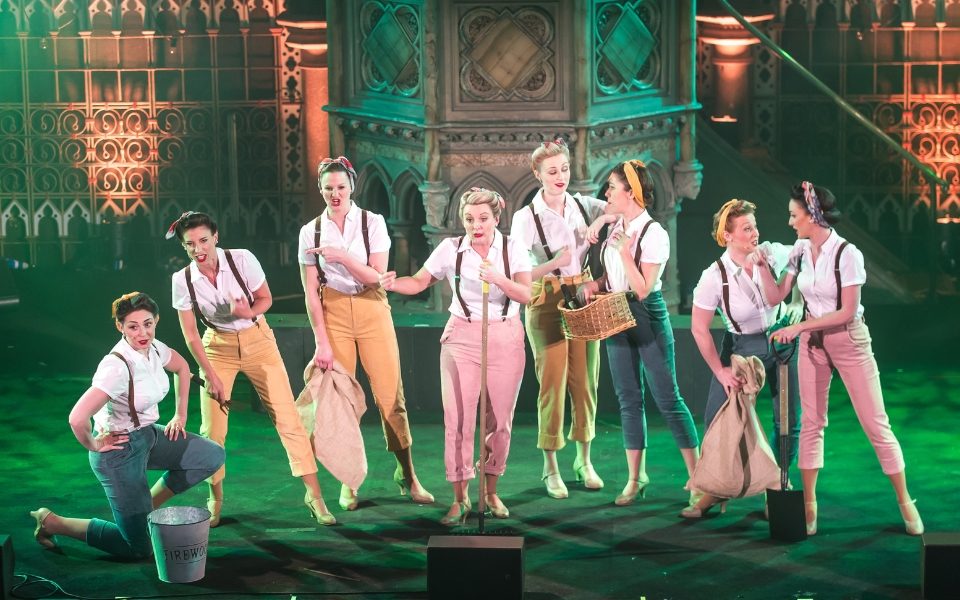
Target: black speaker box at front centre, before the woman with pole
475 566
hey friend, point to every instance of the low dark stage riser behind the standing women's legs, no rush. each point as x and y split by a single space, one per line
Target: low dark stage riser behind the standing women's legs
419 338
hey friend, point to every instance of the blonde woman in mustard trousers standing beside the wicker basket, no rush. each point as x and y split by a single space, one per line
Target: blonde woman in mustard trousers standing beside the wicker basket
553 227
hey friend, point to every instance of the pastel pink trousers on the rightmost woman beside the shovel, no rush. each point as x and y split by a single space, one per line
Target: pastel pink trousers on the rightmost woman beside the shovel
848 349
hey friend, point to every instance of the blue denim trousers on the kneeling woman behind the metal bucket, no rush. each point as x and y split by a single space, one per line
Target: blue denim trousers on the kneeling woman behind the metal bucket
123 475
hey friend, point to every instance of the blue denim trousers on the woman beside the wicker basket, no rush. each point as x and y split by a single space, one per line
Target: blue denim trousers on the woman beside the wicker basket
646 351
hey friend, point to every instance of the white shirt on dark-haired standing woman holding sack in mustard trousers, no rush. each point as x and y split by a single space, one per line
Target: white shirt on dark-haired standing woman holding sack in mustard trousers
350 239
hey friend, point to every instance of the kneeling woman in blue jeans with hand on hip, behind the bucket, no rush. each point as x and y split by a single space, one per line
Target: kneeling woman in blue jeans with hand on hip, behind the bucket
126 441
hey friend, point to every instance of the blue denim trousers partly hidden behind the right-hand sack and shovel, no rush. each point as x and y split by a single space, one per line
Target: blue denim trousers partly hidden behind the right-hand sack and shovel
759 346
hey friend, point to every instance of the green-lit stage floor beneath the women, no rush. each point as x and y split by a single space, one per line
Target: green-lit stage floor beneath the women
581 547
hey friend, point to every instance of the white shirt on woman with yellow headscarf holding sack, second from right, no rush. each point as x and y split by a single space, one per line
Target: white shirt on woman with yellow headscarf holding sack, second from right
749 305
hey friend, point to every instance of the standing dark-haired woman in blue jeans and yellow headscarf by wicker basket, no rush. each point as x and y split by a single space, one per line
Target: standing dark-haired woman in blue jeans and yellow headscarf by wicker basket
636 250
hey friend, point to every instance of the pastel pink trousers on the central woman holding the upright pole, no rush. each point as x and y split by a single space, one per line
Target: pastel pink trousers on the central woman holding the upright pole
460 387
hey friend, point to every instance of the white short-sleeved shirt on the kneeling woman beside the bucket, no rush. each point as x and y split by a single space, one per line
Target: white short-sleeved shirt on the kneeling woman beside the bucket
150 385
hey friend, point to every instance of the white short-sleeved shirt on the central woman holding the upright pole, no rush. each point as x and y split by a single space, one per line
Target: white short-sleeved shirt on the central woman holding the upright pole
442 264
